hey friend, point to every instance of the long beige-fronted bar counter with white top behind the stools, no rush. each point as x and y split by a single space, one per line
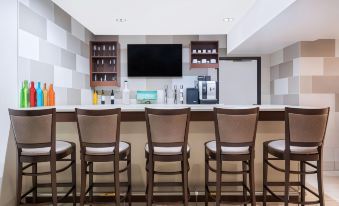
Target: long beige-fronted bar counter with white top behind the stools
133 130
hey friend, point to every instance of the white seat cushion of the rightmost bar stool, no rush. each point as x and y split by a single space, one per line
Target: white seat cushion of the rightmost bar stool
279 146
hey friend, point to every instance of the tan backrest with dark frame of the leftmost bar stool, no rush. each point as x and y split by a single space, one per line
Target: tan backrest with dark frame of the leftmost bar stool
33 128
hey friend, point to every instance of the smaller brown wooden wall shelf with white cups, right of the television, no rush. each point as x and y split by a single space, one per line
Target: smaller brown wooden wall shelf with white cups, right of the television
203 53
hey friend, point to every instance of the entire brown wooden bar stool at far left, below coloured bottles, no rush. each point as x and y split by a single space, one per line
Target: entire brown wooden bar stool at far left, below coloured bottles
34 133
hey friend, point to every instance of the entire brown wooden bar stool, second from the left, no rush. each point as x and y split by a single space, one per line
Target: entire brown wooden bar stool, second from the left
99 133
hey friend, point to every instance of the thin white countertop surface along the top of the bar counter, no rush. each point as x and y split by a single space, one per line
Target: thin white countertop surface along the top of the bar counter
141 107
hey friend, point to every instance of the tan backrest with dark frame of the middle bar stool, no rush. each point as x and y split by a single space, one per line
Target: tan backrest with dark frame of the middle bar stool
167 127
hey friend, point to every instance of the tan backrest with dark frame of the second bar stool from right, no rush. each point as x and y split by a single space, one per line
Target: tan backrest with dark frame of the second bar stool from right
236 127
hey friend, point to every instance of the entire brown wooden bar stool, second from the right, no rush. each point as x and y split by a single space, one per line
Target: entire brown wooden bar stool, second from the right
235 131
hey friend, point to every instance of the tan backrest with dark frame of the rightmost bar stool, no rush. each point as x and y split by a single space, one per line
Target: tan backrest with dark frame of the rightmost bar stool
305 127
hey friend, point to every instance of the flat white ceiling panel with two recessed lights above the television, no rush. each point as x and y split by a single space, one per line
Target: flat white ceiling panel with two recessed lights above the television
156 17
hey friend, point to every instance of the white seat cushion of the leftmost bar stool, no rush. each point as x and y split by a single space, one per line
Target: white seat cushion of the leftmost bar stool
60 147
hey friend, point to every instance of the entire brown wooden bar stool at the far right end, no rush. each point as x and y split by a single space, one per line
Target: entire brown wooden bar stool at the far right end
304 136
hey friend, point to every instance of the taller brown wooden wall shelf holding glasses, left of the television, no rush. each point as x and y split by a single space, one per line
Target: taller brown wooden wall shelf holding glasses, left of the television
104 63
